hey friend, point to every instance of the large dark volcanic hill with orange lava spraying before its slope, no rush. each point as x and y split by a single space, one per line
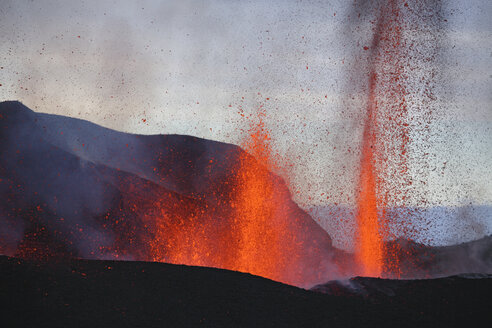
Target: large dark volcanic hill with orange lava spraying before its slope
70 188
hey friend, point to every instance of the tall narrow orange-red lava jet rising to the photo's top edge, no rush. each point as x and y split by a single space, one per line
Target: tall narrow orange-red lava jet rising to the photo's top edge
384 64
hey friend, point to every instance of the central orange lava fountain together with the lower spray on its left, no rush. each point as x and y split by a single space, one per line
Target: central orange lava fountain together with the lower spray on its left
257 239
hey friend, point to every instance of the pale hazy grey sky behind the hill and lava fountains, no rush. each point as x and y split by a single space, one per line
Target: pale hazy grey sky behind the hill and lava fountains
189 67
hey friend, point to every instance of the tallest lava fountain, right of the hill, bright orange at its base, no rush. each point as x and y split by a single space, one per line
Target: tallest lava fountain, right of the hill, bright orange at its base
385 141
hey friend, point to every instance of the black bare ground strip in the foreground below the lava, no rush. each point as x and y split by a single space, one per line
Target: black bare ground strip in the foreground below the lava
82 293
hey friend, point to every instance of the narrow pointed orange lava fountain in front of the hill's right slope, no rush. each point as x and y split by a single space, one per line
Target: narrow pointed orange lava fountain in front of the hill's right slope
259 233
